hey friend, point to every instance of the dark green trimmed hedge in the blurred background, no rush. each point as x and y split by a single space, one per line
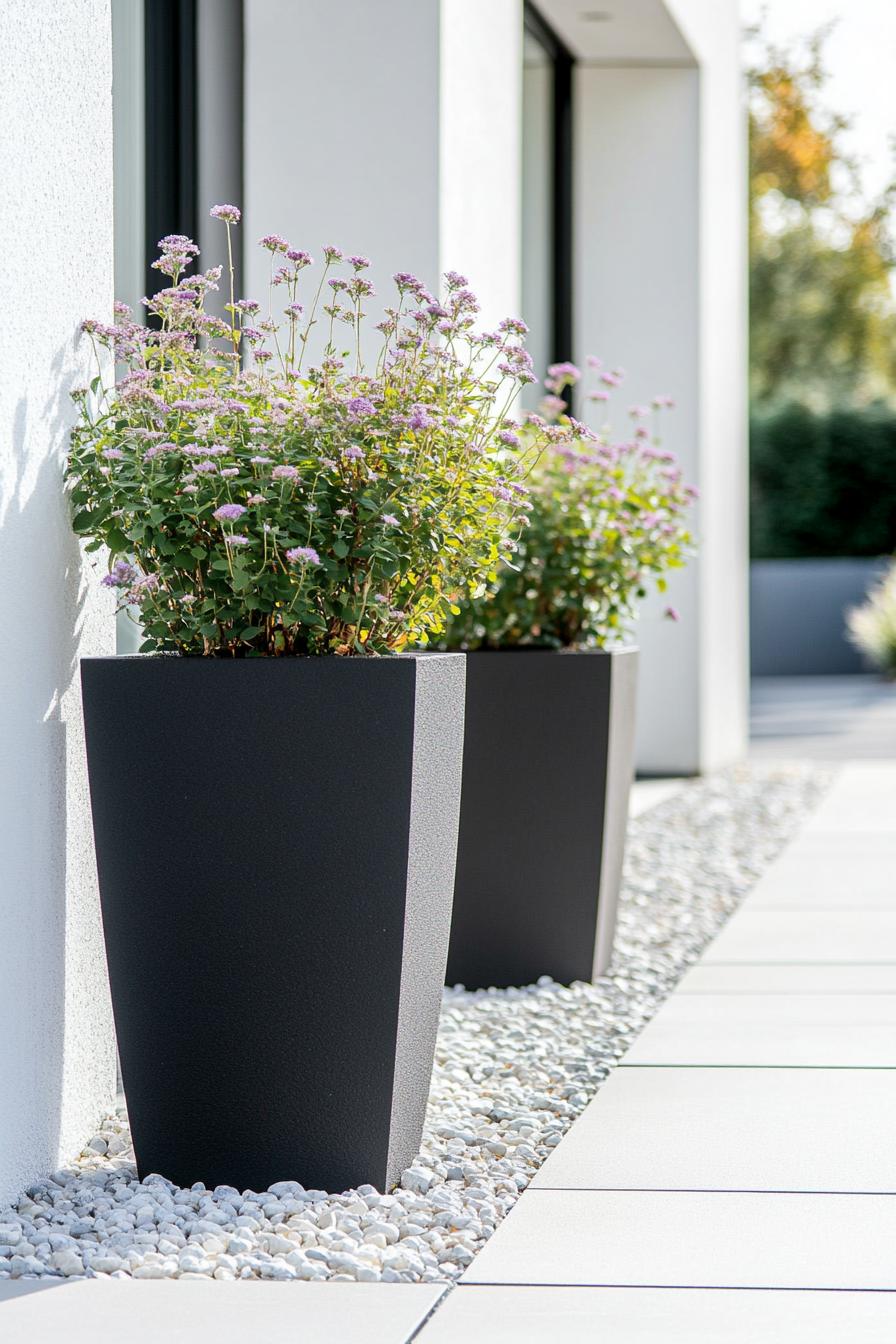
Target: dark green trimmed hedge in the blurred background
823 485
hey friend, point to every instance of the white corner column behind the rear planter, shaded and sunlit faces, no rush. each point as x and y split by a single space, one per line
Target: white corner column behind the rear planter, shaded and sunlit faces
660 290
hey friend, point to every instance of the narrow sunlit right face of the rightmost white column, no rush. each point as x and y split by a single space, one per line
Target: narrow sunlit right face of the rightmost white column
714 33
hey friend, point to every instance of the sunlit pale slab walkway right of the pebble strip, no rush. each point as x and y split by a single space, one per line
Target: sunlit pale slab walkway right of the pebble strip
735 1179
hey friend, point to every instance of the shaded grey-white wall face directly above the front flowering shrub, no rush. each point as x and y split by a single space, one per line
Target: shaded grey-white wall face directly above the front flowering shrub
342 135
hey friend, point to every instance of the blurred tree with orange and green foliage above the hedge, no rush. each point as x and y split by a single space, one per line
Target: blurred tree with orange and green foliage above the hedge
823 311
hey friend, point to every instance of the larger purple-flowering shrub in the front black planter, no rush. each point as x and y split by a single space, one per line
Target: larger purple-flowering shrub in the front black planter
252 507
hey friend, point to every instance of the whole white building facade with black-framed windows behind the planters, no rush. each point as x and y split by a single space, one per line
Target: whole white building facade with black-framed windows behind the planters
585 169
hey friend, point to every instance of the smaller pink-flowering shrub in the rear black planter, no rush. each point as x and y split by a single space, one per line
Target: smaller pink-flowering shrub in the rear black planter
607 518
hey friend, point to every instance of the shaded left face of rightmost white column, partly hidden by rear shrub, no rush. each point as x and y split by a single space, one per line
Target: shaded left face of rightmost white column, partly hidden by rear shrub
636 306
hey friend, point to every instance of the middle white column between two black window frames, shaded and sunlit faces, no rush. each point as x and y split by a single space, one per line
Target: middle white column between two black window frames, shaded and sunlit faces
389 130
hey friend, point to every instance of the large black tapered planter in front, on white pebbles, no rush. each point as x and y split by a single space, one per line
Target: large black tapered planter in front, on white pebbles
276 846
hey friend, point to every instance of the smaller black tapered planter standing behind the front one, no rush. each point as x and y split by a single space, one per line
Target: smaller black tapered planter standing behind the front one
549 761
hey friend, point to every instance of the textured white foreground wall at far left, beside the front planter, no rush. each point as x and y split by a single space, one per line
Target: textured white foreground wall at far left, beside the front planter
57 1052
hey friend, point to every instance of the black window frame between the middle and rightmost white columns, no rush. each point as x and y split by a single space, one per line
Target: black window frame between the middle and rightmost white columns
562 174
